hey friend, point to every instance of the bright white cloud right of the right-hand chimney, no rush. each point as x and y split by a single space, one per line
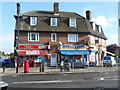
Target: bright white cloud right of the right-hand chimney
101 20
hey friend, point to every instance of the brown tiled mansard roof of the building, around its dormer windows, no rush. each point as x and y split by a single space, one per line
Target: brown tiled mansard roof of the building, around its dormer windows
83 25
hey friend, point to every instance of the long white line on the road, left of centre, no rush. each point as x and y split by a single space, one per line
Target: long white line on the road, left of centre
56 81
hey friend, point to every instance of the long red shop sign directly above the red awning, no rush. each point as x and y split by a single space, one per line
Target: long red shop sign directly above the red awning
33 46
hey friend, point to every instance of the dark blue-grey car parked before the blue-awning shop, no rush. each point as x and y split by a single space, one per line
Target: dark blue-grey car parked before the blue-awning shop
78 63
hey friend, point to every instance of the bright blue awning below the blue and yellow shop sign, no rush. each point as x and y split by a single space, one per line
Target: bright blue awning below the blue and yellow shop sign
74 52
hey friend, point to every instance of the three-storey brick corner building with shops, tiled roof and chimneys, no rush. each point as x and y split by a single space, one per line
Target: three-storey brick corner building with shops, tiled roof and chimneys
54 34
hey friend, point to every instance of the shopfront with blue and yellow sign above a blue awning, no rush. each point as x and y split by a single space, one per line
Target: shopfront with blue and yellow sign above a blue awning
72 52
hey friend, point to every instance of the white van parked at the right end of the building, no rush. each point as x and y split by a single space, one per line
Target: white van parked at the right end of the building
109 61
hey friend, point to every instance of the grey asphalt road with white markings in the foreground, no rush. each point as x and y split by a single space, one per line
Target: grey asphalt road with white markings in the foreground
81 80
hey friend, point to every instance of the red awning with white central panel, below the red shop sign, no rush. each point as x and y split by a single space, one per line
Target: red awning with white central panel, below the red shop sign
32 52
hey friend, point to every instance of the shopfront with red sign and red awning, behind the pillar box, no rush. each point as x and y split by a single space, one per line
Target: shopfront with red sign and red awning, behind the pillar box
32 52
